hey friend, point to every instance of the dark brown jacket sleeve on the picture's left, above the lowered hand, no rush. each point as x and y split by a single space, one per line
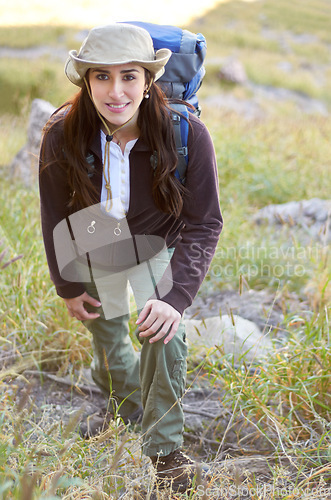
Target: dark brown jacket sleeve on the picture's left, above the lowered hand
54 197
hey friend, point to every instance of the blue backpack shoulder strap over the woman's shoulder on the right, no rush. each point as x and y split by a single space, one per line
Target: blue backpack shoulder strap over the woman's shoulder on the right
179 117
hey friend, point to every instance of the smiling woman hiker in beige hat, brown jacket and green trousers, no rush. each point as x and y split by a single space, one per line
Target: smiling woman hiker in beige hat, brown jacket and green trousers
112 150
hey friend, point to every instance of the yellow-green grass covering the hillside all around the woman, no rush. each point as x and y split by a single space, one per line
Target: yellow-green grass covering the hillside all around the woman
282 157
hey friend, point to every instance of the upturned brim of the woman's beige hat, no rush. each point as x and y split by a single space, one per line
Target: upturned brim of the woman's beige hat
76 68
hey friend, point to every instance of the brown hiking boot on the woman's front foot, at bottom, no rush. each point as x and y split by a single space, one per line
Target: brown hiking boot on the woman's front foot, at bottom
176 470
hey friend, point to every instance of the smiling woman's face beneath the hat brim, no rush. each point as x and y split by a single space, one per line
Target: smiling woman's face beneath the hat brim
117 92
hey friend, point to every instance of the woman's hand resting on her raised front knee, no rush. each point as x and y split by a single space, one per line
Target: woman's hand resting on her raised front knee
158 316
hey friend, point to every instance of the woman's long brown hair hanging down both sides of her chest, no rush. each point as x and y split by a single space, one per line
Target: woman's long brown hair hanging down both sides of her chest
81 123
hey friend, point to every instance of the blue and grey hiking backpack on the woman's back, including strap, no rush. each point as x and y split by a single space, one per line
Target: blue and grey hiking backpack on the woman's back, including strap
181 80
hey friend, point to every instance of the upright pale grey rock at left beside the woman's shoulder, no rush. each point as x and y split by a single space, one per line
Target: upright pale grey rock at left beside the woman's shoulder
25 164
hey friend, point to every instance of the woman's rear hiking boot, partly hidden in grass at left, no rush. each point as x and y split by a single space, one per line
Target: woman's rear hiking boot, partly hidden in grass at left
95 424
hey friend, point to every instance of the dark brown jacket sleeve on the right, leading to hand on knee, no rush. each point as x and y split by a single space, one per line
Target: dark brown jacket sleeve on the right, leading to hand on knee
202 219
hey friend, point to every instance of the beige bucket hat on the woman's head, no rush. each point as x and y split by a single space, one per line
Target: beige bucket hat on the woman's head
113 44
